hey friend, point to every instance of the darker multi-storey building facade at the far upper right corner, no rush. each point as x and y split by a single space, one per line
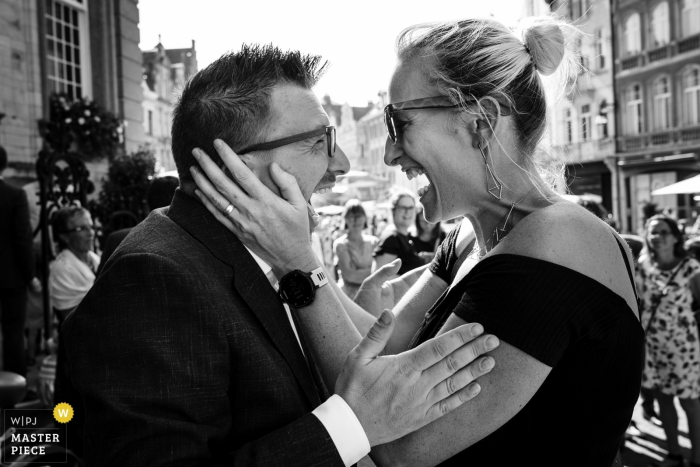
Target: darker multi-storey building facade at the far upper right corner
658 87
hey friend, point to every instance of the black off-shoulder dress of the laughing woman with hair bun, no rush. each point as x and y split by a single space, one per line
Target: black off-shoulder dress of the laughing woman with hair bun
584 331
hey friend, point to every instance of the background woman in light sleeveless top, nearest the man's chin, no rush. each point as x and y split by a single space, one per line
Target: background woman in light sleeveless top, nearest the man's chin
354 249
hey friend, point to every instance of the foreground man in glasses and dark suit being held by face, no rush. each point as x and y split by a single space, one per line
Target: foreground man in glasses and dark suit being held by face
184 352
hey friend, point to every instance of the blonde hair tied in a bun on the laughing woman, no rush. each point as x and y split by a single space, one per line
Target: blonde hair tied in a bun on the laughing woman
474 58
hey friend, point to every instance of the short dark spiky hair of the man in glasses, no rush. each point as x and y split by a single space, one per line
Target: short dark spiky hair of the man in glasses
229 100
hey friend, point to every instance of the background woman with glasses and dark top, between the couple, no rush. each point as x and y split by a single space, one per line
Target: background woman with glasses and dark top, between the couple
394 242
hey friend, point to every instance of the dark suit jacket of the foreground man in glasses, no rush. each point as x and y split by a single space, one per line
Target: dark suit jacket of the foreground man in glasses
184 355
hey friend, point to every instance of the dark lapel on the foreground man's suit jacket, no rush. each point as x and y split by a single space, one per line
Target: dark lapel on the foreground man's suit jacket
248 280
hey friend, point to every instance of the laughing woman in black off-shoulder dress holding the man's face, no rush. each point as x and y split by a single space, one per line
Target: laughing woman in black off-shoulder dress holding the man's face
553 282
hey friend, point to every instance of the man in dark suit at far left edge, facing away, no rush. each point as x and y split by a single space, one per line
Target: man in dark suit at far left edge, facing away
16 270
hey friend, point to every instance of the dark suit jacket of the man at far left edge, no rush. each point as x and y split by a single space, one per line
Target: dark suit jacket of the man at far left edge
16 247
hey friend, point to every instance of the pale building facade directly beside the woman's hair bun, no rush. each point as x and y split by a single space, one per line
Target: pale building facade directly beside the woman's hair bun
582 129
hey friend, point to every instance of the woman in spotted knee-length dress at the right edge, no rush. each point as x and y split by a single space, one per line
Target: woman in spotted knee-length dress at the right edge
668 282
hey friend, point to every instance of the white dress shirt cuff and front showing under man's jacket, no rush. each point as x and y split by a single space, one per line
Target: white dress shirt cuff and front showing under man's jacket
335 414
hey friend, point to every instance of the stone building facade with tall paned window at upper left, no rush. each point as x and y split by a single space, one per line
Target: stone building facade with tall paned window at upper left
75 47
